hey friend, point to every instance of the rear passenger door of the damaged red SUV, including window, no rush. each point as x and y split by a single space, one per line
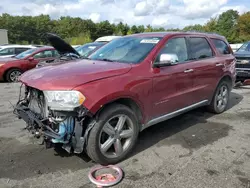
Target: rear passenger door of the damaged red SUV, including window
205 65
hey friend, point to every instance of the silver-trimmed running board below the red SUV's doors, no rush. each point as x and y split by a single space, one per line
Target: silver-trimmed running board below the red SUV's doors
174 114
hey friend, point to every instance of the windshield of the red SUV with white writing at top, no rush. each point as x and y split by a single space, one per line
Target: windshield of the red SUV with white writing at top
126 49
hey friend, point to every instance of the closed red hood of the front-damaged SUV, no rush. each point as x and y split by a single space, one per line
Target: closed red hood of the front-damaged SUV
67 76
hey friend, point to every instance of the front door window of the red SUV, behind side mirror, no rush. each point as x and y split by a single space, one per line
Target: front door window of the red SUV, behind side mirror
175 46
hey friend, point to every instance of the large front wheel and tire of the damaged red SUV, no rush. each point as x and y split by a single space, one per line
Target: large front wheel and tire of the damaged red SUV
114 135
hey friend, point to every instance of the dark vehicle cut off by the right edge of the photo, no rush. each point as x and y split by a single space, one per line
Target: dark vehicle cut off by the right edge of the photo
242 56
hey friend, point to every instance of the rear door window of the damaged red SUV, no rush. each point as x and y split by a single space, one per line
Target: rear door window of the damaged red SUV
200 48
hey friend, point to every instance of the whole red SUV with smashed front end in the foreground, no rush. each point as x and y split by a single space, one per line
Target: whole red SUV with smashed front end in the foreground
99 105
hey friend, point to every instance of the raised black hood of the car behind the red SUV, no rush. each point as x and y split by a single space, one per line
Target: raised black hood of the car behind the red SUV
60 45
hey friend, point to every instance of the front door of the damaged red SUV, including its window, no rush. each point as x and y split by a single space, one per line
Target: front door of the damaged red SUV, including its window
172 85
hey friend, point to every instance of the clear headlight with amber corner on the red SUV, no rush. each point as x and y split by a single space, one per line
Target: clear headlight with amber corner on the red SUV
64 100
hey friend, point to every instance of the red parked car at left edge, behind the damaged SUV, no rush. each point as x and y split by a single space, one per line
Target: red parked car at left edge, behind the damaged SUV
11 68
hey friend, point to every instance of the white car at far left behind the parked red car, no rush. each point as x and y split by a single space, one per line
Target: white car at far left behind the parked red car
13 50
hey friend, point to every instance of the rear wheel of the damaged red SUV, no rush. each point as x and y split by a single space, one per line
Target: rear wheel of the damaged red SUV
221 98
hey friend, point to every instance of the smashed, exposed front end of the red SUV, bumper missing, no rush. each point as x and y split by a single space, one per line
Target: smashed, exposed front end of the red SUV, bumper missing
60 125
